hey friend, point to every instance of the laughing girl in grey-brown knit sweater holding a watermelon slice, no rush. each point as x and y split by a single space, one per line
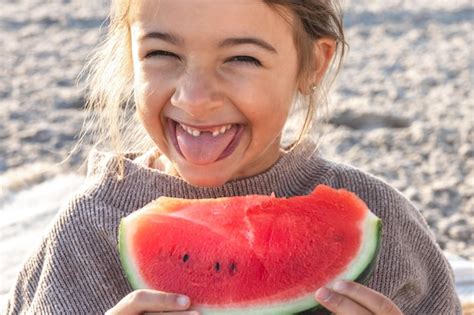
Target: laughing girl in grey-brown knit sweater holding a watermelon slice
212 84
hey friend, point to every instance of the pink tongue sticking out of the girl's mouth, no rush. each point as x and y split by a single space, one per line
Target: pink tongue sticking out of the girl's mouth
205 148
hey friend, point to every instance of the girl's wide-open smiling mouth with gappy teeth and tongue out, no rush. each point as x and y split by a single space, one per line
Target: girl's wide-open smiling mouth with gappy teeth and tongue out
203 145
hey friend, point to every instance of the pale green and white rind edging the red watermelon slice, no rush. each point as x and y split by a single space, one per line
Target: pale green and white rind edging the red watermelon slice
359 270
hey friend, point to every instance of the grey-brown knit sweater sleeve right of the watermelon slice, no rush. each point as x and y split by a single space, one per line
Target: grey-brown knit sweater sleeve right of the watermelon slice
412 269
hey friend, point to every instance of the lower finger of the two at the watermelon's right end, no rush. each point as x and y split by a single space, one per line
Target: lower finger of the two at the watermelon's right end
339 304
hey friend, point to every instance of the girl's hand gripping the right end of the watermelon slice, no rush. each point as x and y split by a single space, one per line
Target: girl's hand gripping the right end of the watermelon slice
348 297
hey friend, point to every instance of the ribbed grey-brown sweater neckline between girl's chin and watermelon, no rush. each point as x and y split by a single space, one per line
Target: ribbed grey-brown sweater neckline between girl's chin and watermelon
295 173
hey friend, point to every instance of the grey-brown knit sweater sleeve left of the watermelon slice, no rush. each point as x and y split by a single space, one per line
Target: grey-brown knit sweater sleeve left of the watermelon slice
76 269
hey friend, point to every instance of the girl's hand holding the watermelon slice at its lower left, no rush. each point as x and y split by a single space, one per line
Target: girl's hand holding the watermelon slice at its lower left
154 302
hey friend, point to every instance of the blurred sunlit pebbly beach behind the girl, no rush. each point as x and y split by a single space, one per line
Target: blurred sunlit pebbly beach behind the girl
402 109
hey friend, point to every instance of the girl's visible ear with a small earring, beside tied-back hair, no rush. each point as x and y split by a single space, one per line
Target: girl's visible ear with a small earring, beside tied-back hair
324 49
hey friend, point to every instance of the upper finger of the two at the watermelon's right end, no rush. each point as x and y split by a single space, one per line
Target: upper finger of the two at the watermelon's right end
374 301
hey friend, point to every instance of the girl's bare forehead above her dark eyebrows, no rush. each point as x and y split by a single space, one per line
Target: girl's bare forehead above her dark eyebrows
206 20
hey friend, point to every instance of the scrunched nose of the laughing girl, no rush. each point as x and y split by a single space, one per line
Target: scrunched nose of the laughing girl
197 93
